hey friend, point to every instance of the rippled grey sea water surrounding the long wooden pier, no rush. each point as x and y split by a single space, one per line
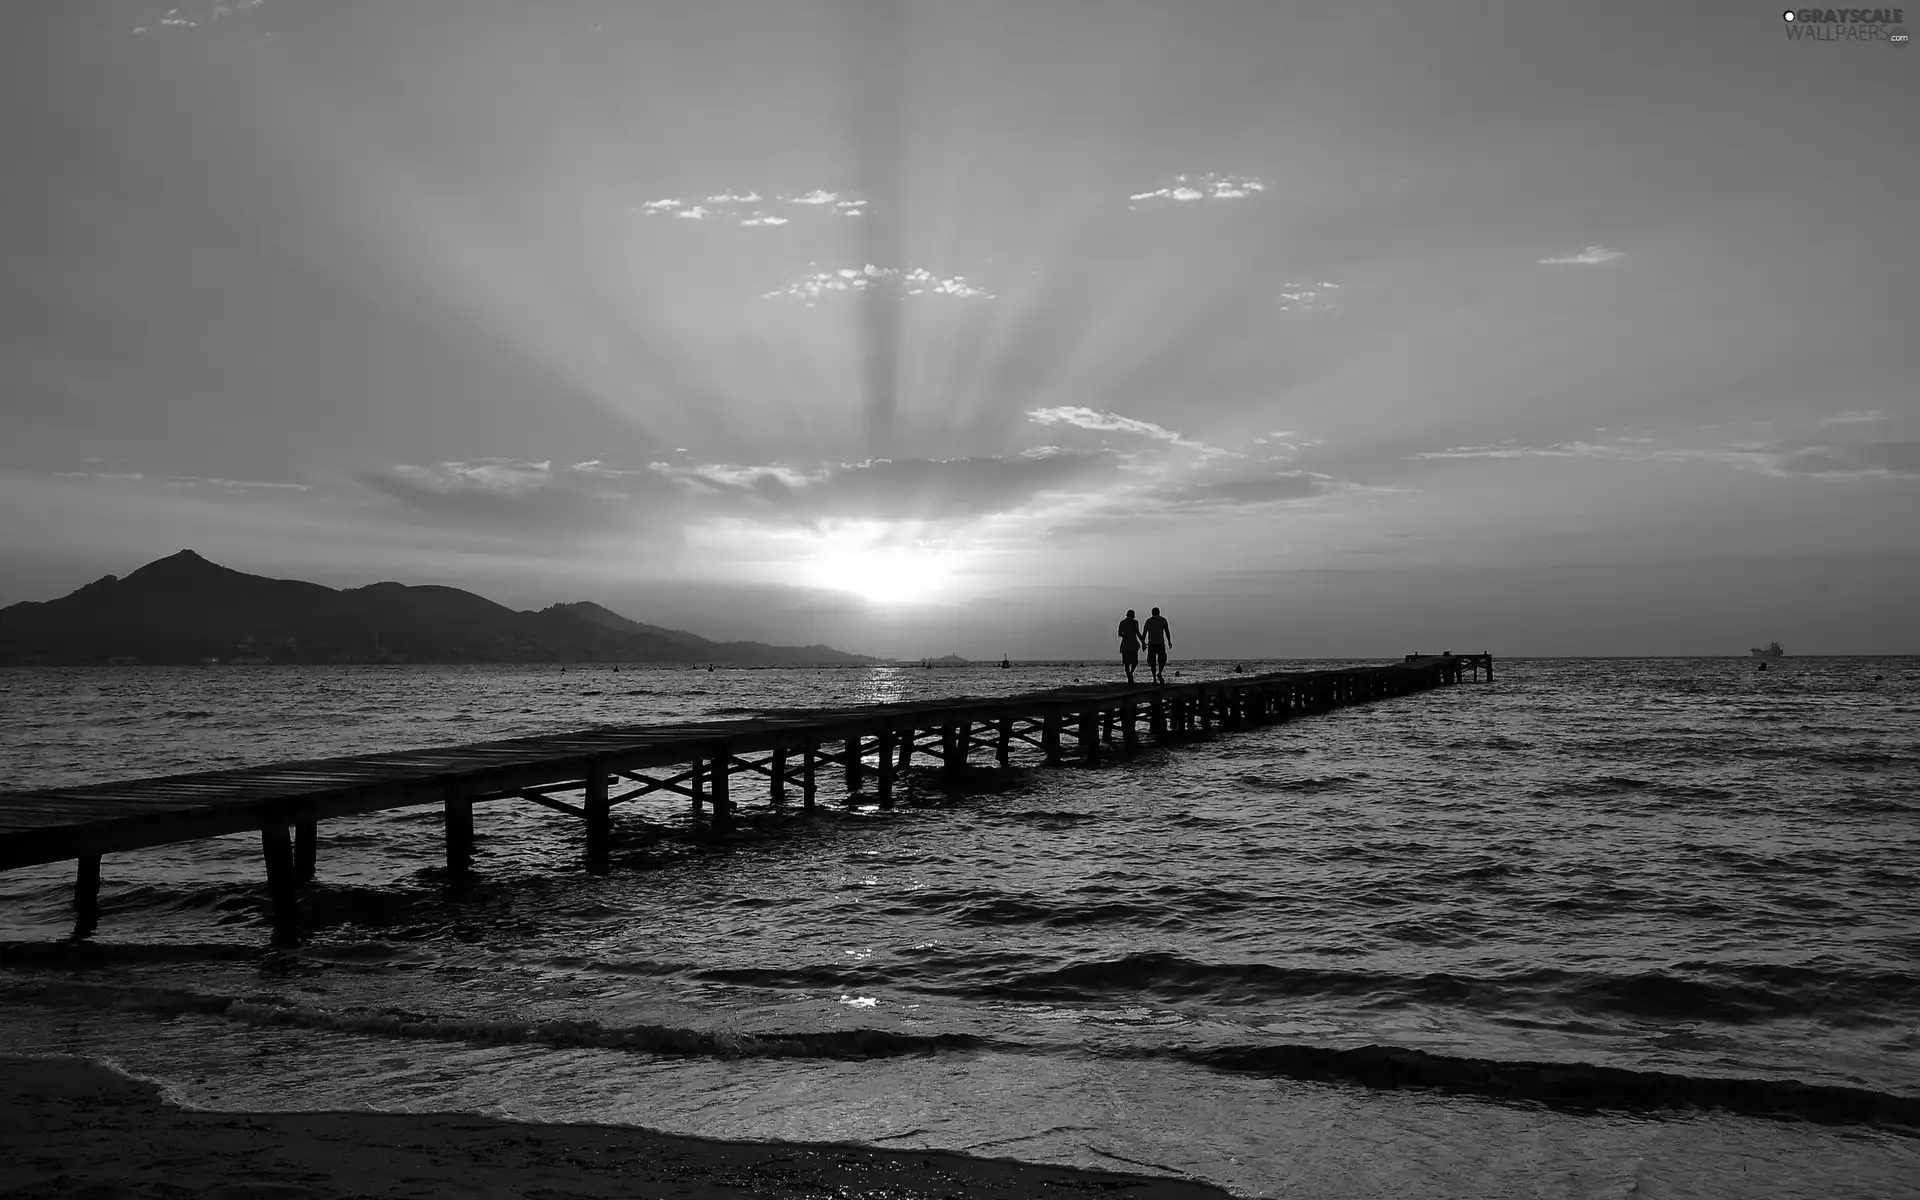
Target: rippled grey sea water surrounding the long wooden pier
1687 878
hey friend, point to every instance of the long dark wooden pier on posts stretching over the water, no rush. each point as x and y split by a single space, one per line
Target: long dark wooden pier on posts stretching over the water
704 761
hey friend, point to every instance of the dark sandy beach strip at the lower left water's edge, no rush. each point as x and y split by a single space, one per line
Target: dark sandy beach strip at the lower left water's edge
72 1128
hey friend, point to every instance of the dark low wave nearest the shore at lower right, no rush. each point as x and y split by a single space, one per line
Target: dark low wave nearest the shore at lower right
1568 1086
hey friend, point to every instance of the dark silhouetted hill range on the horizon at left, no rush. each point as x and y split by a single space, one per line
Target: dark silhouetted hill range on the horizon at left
185 610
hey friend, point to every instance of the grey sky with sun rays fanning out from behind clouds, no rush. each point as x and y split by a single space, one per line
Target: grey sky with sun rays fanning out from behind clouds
917 327
